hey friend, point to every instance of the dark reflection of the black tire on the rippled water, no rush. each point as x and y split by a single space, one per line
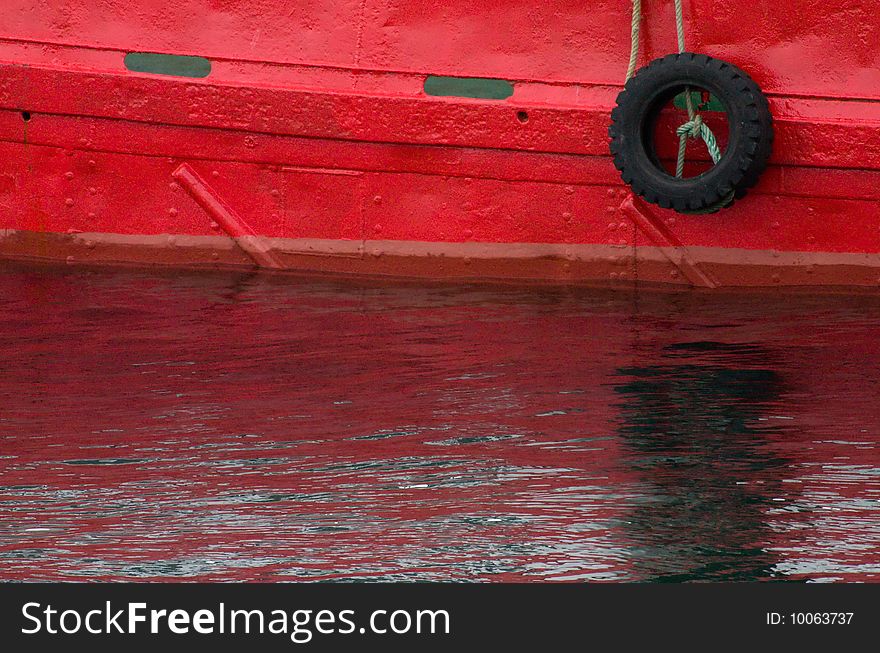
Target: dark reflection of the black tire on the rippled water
689 431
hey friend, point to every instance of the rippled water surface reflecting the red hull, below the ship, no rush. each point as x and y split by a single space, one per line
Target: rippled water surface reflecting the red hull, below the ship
209 428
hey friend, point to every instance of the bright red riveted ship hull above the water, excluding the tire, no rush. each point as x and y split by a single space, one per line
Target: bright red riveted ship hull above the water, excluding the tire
306 133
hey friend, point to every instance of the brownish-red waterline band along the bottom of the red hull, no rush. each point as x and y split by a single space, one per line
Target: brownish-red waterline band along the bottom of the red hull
528 262
